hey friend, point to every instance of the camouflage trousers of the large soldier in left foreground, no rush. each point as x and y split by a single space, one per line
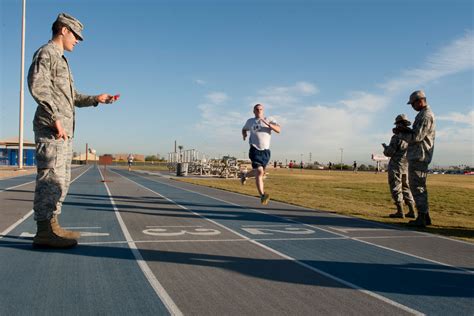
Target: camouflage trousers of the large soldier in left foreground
53 160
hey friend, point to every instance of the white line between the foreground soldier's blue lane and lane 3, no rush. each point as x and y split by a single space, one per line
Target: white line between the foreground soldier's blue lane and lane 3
155 284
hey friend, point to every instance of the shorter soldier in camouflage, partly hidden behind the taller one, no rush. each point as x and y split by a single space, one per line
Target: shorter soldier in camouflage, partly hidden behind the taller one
398 171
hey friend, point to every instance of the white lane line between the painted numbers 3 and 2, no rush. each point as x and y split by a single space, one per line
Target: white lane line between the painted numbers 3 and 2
346 283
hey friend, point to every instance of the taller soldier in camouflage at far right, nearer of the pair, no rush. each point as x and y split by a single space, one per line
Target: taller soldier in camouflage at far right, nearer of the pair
420 139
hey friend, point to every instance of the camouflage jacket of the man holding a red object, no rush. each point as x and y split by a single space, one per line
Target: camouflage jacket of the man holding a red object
52 86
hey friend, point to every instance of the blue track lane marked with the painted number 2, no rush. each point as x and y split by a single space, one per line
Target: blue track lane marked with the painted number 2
419 284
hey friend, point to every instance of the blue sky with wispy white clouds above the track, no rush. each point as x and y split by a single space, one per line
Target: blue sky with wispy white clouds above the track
334 74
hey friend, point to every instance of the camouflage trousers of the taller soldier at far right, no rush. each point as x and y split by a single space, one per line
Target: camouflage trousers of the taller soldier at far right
417 174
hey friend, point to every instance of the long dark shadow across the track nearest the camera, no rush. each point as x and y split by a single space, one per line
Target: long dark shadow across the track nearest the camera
434 280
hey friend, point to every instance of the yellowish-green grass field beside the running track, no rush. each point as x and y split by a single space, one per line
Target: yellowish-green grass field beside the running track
364 195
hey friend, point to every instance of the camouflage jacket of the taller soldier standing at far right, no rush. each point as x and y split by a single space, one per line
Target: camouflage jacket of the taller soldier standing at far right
421 139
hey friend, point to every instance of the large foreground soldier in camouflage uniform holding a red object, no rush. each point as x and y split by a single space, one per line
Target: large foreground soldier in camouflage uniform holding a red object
52 86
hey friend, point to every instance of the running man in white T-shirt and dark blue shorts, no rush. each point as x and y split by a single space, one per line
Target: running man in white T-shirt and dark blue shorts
260 135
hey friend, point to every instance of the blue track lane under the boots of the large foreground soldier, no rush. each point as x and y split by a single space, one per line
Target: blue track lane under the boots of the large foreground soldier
87 280
